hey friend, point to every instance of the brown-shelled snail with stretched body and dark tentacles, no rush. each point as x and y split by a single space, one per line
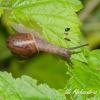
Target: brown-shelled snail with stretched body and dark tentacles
28 43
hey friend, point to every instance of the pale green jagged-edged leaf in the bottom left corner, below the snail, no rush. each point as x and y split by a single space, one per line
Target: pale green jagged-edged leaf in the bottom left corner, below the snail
25 88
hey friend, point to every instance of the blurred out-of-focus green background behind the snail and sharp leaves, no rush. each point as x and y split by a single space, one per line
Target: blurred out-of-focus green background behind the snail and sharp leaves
44 67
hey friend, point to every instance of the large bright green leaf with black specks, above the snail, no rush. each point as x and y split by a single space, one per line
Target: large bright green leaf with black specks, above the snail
50 18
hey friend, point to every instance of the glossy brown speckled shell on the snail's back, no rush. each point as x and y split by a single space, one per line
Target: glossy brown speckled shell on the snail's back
22 45
